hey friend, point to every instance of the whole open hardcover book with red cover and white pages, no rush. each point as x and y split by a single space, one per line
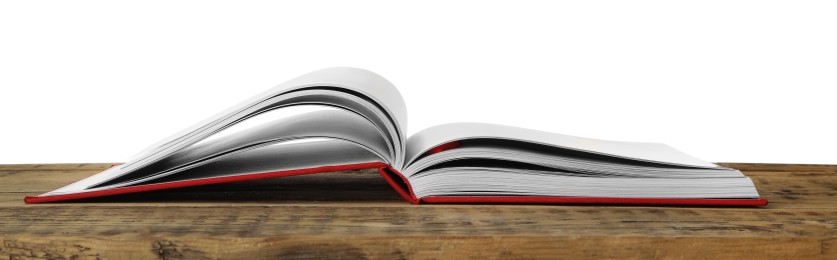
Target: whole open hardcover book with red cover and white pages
362 124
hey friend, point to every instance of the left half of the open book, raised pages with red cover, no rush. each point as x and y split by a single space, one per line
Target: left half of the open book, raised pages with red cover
355 120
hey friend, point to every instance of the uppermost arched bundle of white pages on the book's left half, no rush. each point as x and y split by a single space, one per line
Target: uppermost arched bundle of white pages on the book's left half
357 90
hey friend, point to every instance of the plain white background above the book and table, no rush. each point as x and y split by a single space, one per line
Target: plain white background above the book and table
733 81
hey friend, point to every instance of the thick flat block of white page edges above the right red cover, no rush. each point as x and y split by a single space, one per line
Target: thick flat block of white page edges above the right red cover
475 181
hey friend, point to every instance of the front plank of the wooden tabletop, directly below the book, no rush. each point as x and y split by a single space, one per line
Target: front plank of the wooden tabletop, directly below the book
369 219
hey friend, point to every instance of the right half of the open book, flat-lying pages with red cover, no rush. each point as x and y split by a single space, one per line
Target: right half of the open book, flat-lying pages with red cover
486 163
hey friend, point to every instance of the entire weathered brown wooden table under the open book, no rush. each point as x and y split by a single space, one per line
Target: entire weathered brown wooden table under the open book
356 215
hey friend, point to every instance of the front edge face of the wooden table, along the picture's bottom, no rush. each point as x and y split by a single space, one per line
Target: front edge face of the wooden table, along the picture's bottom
399 247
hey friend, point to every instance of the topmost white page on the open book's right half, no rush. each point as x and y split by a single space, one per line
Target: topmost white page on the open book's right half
425 140
